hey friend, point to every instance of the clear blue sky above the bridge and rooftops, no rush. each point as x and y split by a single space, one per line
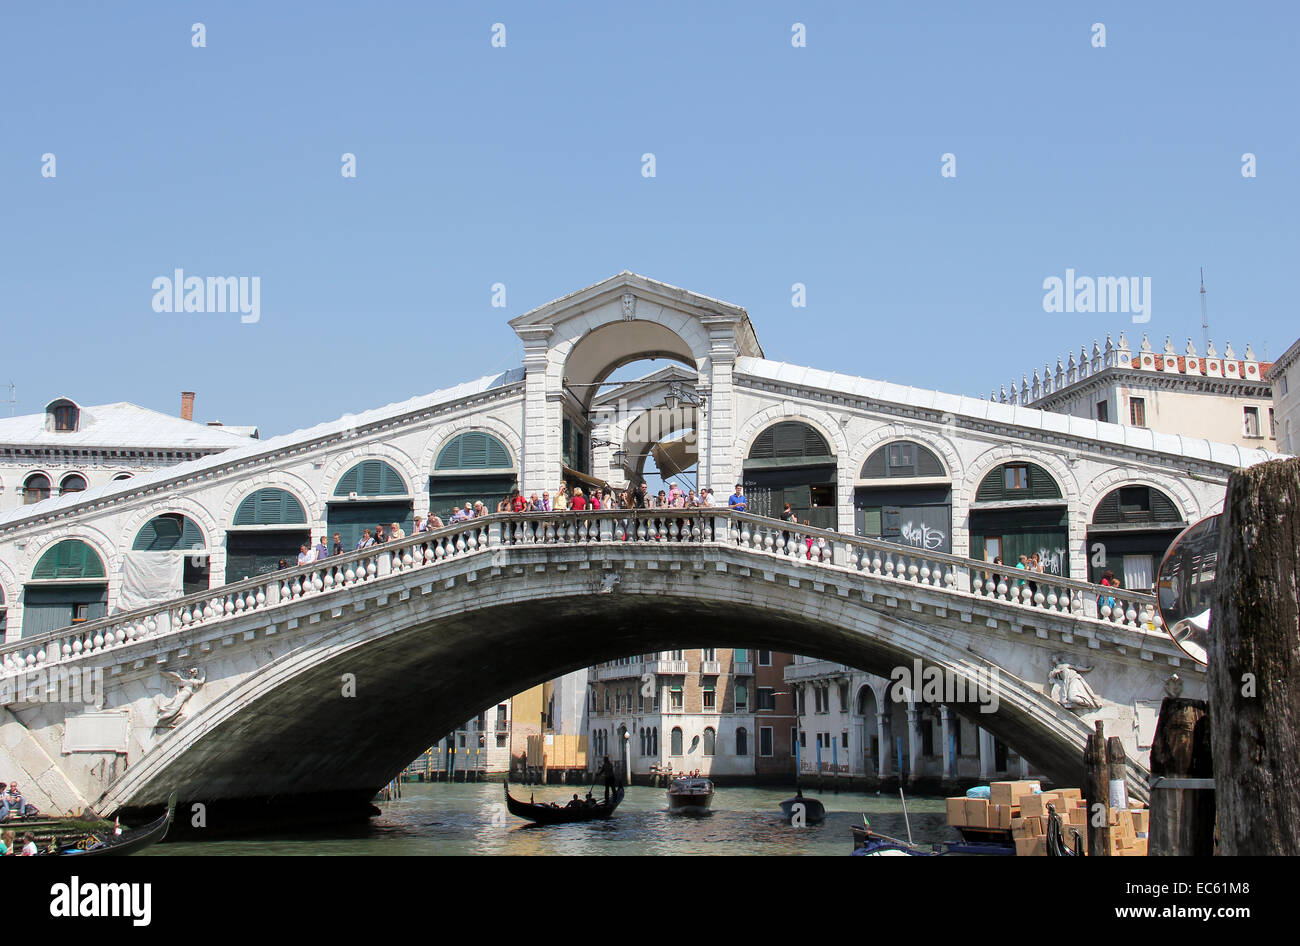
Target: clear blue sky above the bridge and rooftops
523 166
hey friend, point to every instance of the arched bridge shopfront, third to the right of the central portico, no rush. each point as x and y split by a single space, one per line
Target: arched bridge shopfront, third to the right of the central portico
1020 510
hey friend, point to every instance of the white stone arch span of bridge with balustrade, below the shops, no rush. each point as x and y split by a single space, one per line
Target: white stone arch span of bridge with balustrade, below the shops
315 687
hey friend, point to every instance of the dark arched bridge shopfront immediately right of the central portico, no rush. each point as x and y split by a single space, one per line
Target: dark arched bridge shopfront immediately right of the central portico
792 463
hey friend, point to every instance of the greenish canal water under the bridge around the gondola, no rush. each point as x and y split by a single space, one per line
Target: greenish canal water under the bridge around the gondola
471 819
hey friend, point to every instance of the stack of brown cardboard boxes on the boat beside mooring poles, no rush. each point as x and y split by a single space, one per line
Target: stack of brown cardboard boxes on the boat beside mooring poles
1021 810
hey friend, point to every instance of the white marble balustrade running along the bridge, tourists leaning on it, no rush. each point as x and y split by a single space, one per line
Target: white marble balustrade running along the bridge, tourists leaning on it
816 549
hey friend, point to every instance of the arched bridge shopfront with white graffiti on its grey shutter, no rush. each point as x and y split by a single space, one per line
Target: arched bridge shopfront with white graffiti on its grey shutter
905 496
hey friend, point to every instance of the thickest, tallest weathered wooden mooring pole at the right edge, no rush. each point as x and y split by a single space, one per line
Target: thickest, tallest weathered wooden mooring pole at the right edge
1254 675
